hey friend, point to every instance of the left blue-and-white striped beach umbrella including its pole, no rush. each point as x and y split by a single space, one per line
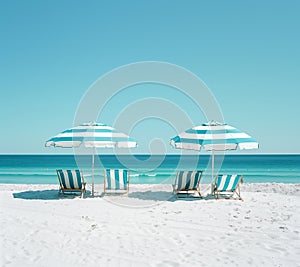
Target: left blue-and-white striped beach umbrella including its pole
92 135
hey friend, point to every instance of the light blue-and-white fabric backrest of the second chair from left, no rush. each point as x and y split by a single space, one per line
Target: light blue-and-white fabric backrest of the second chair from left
116 179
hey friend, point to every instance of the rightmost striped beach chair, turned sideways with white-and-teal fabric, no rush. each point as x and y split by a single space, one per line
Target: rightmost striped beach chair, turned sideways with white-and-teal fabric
228 184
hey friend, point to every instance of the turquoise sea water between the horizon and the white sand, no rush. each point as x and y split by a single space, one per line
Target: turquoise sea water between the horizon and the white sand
149 169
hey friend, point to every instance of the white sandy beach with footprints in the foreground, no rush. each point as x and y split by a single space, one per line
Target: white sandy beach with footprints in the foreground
150 228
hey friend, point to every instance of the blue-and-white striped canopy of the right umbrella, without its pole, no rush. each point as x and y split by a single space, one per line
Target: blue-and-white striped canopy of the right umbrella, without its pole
214 136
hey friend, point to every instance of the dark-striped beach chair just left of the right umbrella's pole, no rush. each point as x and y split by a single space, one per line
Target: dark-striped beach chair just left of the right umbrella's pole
187 182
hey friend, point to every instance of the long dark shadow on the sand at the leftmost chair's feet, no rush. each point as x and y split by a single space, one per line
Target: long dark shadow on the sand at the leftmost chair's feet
50 194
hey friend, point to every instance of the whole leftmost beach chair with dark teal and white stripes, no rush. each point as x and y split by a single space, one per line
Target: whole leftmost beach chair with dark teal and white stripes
71 181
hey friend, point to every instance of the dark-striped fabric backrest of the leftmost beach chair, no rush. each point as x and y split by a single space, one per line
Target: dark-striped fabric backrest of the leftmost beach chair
70 179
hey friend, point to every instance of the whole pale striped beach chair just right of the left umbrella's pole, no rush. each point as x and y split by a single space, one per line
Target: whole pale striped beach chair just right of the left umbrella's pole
116 181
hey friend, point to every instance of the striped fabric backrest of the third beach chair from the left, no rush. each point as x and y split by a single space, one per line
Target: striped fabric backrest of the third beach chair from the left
187 180
